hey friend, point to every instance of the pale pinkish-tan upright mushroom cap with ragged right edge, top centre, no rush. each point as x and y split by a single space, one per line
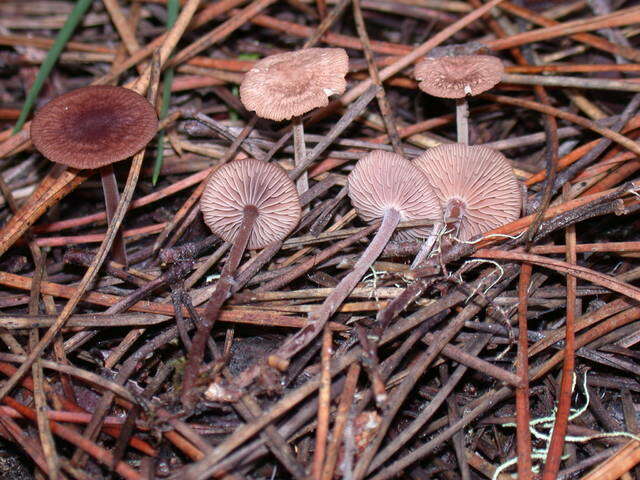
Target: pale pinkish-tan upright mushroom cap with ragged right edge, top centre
291 84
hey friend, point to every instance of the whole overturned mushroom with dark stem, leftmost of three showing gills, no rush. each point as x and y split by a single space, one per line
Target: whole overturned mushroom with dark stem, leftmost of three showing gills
250 203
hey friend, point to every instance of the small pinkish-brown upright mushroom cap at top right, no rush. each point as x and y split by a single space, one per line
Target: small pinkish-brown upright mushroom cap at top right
457 77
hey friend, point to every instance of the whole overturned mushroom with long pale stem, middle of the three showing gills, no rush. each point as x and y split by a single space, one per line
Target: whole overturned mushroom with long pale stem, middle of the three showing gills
386 186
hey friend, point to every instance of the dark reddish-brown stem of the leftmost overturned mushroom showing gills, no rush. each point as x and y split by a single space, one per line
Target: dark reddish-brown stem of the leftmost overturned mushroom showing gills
222 292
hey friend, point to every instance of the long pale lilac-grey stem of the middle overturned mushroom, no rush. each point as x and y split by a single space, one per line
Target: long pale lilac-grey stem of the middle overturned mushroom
319 317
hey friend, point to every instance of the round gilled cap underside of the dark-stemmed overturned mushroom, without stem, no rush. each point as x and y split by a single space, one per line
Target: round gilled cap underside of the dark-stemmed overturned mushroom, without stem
251 182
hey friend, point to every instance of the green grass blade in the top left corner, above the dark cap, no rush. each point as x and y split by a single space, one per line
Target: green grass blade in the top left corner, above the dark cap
52 57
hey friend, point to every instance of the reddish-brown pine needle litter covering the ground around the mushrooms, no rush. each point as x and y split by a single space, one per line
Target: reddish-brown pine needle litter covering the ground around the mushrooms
509 353
